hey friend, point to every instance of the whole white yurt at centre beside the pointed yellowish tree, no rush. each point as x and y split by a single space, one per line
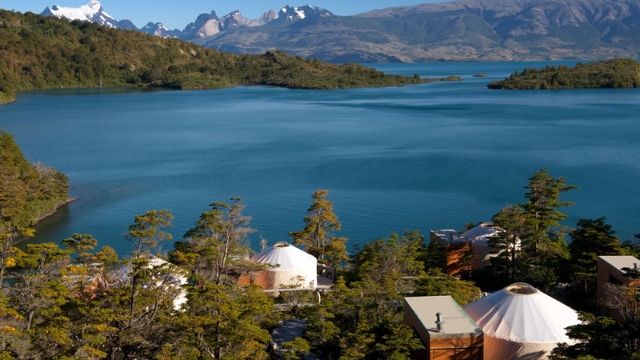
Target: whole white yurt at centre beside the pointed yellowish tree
290 267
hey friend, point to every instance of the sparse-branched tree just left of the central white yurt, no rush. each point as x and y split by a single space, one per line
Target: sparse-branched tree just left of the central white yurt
217 242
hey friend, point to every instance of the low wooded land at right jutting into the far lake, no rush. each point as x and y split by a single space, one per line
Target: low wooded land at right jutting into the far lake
615 73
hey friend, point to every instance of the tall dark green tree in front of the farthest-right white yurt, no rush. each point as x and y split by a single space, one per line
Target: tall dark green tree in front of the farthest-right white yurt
531 247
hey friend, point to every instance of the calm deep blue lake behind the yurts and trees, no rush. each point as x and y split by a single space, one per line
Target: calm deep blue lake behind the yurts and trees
428 156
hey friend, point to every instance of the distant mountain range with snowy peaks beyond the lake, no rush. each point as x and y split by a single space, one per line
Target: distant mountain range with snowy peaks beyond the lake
462 30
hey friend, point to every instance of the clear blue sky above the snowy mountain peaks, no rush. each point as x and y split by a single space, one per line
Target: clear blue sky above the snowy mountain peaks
179 13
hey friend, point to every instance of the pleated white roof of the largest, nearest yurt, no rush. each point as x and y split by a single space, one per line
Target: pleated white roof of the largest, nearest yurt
522 313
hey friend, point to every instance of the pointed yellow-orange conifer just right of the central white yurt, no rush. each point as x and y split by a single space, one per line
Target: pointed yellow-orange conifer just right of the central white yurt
317 236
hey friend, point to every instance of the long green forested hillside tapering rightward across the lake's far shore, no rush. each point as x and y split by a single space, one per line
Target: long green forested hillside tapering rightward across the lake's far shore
38 52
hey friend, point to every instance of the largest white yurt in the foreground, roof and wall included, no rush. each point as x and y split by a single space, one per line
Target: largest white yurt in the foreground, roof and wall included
521 322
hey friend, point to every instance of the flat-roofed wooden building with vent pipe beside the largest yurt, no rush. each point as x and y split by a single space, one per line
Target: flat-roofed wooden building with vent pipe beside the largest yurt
445 329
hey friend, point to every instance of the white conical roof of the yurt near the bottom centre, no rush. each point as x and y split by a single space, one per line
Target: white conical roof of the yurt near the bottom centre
285 255
